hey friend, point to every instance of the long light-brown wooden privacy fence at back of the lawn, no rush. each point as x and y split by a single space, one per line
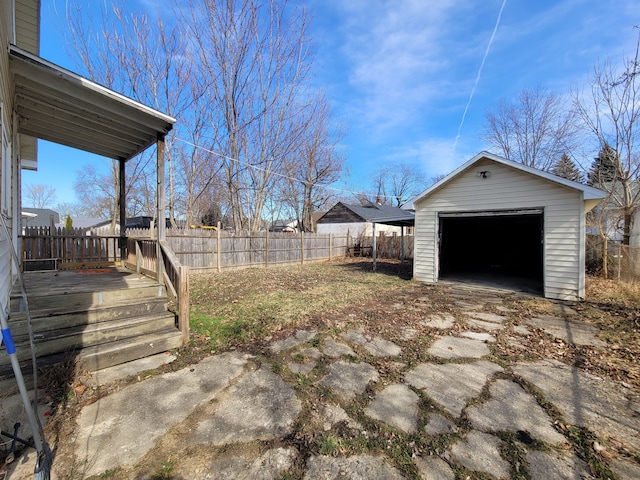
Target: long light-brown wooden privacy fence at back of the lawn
206 250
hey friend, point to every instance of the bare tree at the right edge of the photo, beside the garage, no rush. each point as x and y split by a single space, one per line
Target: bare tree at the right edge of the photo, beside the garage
611 112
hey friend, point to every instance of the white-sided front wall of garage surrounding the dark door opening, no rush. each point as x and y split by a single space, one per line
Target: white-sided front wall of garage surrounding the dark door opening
508 189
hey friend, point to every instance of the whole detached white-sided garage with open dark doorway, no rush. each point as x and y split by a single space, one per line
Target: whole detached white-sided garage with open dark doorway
500 221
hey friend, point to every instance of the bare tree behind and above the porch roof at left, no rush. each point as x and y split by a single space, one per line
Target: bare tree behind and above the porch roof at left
142 58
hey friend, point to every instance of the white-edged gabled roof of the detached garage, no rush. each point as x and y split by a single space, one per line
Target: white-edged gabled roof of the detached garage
589 193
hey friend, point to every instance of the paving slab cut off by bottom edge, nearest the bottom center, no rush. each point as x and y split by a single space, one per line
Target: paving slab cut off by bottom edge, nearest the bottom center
357 467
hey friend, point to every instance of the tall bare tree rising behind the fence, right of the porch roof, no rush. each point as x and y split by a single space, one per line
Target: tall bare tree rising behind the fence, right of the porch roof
258 58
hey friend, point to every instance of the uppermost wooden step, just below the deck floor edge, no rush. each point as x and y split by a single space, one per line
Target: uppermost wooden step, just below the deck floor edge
104 313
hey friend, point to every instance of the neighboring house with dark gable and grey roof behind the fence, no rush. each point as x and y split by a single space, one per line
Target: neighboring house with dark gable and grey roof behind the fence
359 220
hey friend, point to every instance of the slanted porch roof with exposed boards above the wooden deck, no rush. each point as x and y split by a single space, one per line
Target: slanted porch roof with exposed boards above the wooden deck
60 106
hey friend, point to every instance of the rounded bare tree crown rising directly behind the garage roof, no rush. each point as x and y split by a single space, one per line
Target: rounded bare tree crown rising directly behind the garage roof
535 129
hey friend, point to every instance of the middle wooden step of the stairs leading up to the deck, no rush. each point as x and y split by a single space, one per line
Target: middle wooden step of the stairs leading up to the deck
79 337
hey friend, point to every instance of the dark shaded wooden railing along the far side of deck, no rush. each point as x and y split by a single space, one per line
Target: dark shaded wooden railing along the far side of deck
47 248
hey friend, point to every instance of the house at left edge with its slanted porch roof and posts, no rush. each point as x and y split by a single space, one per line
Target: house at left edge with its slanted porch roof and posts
39 99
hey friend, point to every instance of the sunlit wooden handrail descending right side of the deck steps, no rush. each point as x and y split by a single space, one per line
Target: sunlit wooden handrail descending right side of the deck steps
142 255
